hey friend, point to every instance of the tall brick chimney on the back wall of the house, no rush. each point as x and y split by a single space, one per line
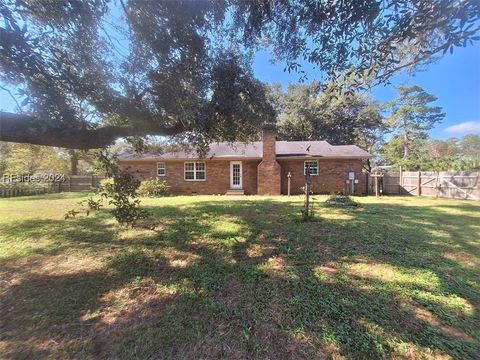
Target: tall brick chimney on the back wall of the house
268 171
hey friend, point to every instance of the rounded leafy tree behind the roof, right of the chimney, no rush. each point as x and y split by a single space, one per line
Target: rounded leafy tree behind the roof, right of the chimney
306 112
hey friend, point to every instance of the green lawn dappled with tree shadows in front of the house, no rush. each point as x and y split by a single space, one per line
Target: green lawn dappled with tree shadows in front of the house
221 278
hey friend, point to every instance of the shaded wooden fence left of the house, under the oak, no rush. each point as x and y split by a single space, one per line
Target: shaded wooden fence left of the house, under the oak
74 183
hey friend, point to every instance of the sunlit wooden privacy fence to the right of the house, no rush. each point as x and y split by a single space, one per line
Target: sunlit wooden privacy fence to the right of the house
449 184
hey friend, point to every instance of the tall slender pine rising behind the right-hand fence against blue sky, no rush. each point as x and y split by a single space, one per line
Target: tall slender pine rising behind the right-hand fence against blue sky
412 115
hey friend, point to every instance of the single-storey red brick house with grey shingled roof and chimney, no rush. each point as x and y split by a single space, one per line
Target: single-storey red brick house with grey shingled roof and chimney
255 168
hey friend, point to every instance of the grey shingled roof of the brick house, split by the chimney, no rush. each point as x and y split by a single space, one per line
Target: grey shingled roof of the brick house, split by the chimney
254 150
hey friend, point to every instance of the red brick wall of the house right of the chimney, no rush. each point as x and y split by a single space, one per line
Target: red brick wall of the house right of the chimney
332 175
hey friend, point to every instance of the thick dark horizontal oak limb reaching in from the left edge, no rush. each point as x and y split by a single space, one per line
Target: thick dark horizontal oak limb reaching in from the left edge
22 128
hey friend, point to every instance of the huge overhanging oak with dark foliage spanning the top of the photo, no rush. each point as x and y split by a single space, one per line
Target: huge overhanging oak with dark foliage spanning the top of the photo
88 75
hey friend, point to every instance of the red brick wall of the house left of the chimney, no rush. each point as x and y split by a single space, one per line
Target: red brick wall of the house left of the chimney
217 176
